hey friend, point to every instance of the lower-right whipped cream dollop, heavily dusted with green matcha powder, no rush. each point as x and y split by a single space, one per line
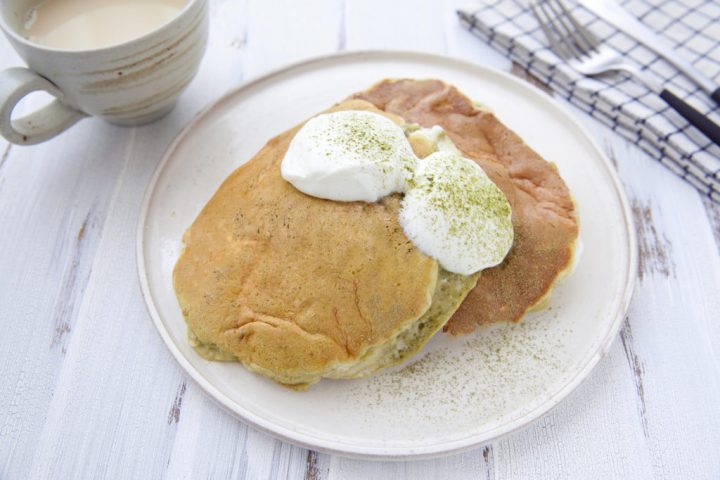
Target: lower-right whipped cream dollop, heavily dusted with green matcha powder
456 214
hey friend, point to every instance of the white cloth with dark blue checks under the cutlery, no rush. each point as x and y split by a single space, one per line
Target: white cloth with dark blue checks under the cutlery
619 101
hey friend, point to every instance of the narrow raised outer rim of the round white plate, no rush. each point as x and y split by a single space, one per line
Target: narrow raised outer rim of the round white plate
386 452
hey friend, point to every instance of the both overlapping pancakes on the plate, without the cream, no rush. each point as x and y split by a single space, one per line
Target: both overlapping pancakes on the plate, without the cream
298 288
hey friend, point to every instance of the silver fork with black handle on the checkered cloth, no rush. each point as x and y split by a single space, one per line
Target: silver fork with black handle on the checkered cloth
587 55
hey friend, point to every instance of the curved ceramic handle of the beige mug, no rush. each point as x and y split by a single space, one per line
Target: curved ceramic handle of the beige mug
38 126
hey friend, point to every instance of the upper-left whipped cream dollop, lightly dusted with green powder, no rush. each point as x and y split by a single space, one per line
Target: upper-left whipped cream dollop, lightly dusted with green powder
350 155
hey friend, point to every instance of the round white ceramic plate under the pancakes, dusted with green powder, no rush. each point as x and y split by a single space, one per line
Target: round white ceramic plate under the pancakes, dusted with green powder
458 392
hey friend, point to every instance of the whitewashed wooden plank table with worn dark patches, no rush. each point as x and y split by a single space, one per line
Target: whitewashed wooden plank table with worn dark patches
88 389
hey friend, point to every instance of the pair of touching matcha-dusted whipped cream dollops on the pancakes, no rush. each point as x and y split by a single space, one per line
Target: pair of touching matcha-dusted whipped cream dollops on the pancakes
451 211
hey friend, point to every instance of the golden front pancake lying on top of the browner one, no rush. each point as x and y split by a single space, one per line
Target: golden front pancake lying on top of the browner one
298 288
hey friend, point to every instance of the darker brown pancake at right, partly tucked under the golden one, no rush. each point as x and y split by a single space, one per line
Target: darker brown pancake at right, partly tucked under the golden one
544 217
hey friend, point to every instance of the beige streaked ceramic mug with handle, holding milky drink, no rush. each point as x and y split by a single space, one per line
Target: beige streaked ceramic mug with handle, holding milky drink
132 83
